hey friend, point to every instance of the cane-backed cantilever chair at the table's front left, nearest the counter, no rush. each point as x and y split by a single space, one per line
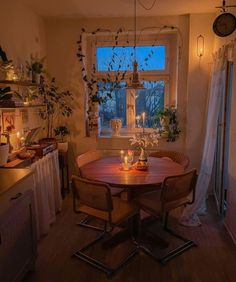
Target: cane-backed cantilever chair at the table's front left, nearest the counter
96 201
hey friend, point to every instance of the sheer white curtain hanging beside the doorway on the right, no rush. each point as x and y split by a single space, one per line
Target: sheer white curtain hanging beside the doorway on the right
216 94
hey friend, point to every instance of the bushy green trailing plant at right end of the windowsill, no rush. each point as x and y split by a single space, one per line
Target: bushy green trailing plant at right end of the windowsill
169 124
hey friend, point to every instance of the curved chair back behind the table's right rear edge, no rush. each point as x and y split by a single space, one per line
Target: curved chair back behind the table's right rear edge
175 156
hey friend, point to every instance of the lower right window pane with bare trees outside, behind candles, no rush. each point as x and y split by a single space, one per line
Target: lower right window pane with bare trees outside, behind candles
150 100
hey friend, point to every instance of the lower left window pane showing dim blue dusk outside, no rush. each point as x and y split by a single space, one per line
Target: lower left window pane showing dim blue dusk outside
114 107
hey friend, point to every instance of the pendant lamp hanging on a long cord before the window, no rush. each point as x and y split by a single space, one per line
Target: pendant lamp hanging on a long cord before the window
135 83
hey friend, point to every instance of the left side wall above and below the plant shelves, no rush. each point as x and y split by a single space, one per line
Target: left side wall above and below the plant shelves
22 34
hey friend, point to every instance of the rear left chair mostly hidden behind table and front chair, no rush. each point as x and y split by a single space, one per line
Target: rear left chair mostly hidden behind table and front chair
82 160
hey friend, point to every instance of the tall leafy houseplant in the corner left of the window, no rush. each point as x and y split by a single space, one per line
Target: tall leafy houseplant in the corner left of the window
56 101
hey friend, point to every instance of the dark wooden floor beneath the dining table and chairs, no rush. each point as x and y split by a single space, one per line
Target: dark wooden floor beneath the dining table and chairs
214 260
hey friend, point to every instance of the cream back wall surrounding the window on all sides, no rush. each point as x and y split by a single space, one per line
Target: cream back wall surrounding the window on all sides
61 37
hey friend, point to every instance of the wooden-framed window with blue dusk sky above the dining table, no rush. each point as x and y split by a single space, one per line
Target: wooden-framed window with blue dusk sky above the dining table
157 72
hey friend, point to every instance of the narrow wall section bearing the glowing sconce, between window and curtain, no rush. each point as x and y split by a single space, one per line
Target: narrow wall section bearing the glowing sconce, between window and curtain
198 80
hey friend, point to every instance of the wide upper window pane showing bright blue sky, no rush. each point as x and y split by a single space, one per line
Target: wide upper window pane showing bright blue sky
121 58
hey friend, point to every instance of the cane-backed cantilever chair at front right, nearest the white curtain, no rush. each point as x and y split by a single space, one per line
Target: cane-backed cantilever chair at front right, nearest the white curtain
175 192
